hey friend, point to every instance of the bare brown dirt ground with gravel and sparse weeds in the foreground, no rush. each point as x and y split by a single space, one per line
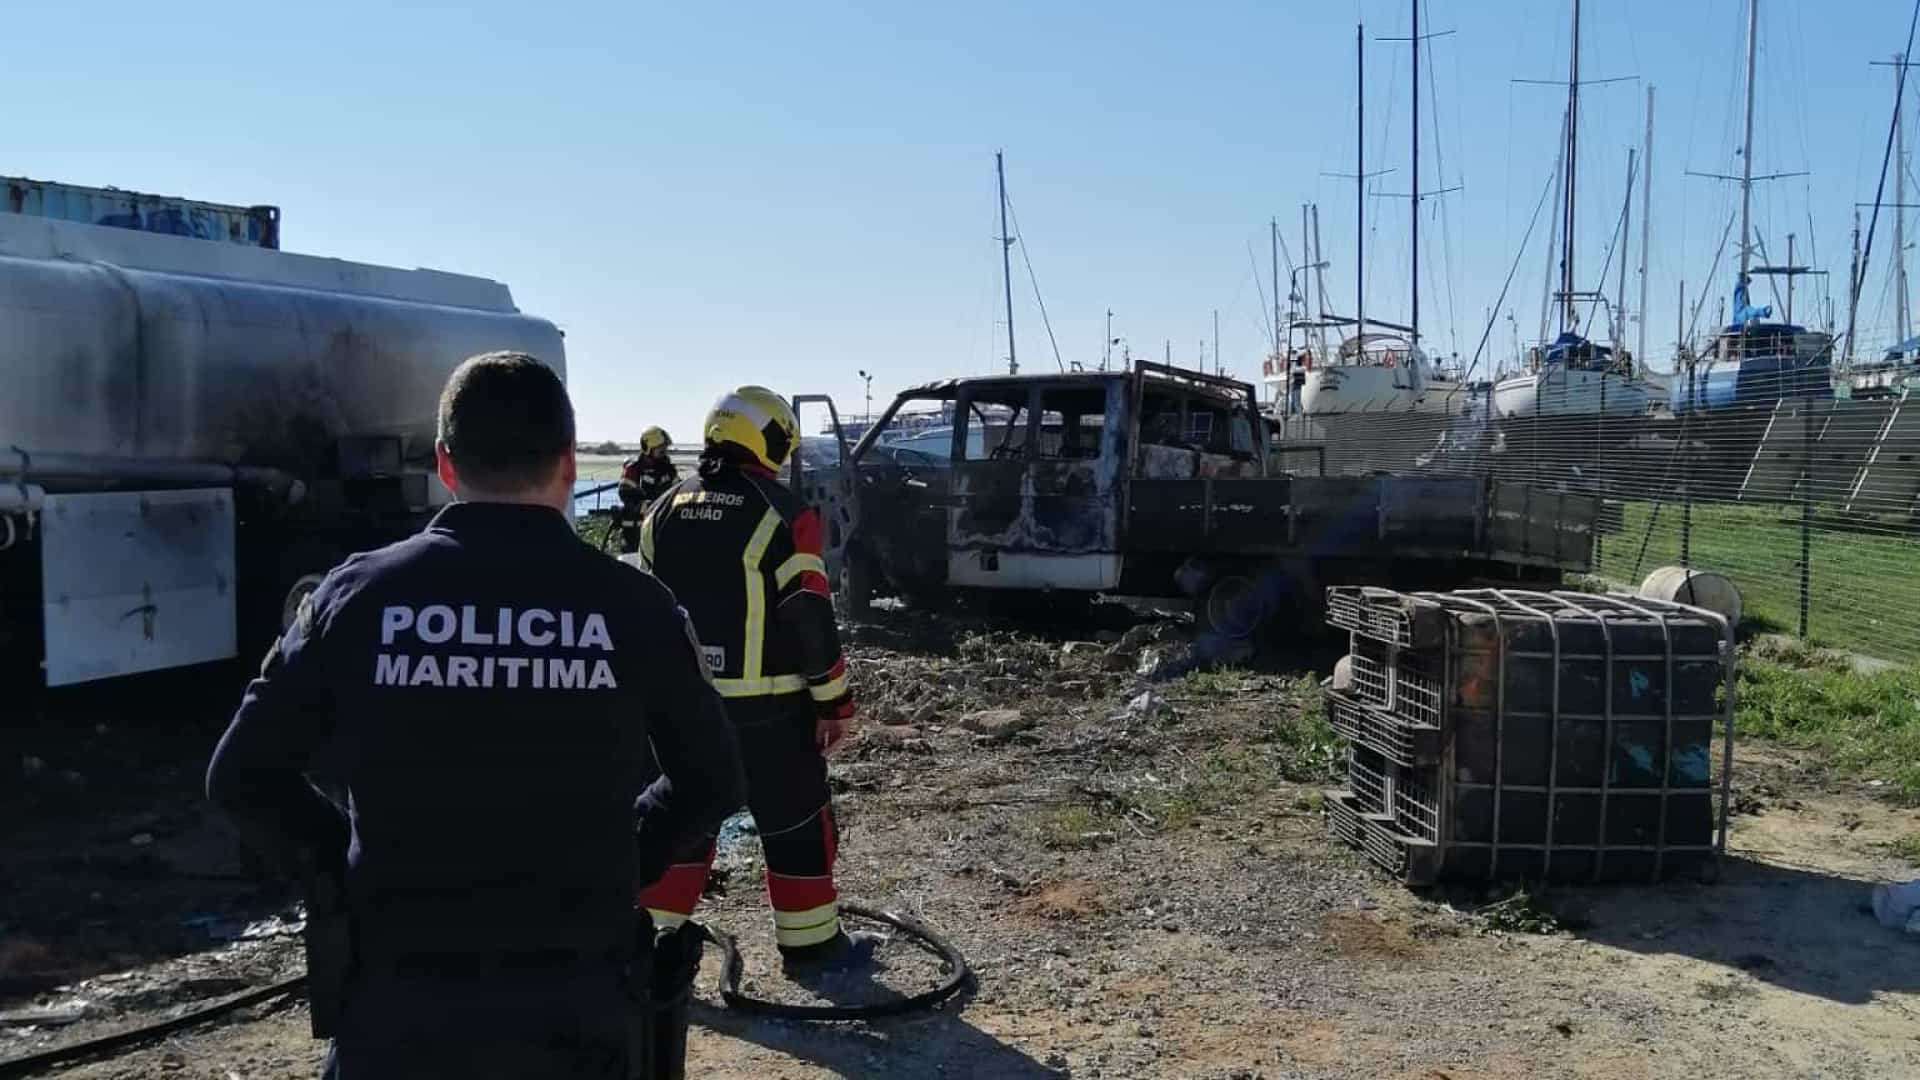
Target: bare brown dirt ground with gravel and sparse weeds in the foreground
1143 887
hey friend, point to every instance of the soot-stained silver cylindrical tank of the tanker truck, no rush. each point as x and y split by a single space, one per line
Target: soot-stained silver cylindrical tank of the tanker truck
103 356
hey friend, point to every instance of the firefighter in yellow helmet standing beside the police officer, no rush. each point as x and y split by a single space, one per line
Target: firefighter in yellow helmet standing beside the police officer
775 652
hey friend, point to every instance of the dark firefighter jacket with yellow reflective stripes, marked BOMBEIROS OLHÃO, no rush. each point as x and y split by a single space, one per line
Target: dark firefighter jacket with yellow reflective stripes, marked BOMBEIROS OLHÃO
742 552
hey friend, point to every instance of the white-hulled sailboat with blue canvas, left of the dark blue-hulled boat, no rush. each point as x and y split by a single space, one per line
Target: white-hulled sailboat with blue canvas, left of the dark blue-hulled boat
1573 376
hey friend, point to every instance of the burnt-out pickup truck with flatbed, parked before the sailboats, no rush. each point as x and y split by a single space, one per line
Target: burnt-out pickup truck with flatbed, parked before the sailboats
1155 481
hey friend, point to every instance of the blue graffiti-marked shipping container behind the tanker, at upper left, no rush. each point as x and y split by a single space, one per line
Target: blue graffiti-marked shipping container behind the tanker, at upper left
247 226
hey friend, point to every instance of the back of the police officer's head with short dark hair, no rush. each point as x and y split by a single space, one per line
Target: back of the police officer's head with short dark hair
506 422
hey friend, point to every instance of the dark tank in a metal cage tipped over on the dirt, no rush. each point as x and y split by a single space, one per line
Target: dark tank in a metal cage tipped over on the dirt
1531 735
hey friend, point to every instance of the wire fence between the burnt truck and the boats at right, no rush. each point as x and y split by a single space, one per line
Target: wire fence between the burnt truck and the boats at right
1806 503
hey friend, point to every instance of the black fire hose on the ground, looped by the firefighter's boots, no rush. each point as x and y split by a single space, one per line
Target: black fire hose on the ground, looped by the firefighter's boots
957 973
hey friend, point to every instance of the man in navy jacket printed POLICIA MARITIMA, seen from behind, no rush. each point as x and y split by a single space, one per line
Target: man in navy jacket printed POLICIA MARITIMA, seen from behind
489 693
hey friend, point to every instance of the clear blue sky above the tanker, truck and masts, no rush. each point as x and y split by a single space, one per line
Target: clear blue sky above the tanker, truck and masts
786 193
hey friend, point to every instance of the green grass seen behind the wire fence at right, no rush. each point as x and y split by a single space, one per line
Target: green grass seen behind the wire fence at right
1863 583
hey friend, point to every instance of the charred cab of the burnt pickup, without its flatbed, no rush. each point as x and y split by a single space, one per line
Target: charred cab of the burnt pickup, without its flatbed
1030 485
